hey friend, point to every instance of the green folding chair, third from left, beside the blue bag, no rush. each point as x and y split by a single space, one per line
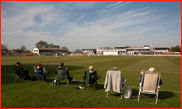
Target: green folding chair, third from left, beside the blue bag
62 75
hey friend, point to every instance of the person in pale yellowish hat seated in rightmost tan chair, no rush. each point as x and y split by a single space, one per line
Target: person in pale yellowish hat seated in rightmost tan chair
151 70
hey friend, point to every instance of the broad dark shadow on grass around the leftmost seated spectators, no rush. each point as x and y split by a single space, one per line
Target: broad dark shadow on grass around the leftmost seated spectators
7 71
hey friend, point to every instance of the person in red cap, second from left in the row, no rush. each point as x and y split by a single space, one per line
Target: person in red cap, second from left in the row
39 72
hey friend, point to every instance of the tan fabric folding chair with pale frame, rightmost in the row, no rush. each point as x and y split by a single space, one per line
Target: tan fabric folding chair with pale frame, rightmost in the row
150 84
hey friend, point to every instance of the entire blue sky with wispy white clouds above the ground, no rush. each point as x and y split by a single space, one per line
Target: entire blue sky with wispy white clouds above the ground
91 24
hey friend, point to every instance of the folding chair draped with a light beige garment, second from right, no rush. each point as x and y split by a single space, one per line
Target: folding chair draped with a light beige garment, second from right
110 82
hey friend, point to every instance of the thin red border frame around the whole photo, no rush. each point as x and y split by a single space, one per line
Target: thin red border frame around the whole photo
86 0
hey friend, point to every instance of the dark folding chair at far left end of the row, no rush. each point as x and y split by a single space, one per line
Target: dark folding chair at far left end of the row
18 74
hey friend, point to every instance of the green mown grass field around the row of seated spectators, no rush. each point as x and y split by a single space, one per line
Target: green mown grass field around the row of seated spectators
41 94
